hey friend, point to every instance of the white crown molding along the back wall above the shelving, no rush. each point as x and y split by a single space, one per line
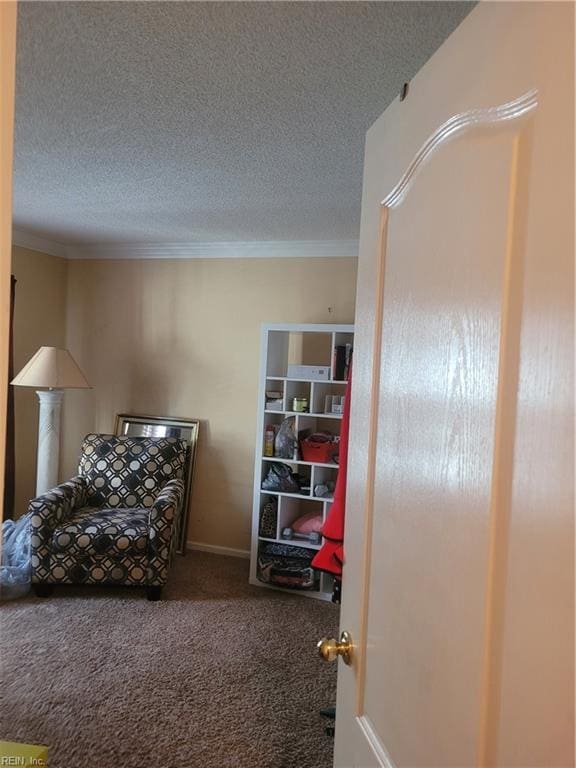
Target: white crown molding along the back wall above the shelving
223 250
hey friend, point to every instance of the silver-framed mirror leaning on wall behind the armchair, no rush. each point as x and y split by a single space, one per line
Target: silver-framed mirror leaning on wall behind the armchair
164 426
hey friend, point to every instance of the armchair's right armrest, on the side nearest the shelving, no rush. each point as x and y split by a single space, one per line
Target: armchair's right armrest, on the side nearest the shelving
162 527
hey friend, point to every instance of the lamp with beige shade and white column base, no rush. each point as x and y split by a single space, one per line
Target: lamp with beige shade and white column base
57 370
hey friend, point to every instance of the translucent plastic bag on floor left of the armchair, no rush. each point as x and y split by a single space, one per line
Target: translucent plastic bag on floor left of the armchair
15 571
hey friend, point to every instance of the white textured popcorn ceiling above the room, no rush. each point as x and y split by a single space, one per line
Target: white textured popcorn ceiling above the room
206 121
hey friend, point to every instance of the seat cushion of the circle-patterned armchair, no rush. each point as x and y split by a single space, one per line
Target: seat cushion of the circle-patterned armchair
94 532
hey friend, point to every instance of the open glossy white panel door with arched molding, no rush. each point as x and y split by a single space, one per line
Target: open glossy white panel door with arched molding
458 583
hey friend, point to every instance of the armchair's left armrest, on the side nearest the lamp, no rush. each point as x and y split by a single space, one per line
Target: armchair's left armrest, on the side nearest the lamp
46 512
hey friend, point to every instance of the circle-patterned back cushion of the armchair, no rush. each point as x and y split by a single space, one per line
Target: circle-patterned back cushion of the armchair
125 471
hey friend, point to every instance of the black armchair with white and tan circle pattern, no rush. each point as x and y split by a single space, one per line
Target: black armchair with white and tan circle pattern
117 521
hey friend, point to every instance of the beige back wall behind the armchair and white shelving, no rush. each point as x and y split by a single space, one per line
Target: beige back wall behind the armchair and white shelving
181 338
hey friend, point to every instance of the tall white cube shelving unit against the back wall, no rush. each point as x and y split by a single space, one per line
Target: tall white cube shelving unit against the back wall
281 346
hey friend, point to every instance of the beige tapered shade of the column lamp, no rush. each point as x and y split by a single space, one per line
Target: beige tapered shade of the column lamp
51 367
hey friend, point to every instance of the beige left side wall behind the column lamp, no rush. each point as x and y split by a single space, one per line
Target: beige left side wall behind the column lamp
39 319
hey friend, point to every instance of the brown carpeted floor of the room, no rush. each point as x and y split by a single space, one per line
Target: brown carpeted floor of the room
217 674
